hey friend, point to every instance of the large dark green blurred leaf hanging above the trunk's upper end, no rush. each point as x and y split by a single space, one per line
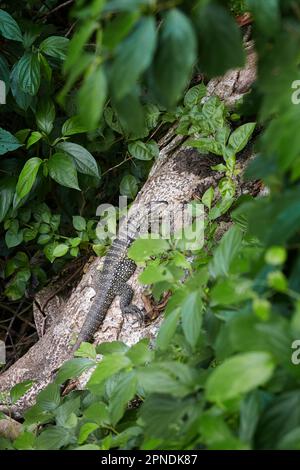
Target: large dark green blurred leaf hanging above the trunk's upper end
220 40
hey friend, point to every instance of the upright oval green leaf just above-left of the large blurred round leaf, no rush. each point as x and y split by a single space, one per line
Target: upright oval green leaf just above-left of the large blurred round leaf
191 316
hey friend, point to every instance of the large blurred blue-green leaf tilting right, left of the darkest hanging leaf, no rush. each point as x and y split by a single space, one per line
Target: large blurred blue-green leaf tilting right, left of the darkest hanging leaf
133 57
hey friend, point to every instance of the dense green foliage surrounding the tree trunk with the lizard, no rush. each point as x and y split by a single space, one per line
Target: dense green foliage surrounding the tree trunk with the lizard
222 373
